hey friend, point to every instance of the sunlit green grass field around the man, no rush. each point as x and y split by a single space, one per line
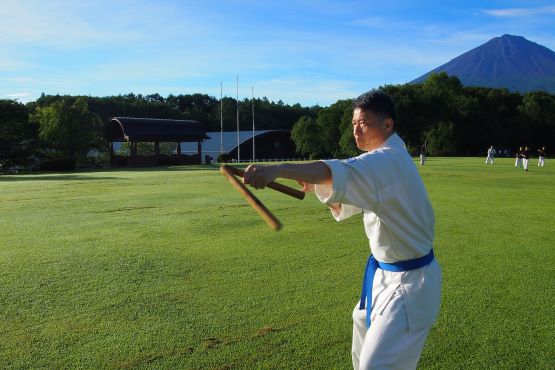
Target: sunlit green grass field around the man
170 268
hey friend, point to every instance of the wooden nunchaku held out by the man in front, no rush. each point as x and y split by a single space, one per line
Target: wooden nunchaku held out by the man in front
229 172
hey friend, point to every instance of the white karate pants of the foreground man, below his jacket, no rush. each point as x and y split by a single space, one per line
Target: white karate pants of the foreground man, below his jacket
388 344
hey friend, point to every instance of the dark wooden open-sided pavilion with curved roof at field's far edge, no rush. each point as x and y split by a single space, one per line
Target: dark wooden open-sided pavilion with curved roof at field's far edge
136 130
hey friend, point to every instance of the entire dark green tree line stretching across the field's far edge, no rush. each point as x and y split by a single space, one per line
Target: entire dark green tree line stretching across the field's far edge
449 118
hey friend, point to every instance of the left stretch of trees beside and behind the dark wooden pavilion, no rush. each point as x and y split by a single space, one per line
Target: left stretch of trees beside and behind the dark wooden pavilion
59 131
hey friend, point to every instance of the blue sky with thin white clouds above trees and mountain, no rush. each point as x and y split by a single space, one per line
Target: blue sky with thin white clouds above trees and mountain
310 52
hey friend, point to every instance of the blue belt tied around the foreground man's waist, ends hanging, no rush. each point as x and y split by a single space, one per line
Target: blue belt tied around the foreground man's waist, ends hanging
372 266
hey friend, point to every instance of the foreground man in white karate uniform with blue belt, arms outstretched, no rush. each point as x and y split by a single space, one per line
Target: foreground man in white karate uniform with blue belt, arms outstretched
401 290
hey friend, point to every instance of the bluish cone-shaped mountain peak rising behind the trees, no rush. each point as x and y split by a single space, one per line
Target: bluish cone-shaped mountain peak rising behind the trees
508 61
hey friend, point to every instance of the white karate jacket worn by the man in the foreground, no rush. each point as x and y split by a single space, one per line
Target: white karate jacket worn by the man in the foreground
385 185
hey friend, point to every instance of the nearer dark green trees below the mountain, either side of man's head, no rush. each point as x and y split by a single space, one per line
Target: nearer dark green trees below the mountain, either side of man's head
443 115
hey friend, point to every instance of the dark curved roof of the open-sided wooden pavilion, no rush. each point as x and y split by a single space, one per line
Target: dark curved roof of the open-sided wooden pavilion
151 129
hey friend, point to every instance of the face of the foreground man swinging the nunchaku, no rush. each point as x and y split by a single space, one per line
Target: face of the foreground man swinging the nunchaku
369 130
